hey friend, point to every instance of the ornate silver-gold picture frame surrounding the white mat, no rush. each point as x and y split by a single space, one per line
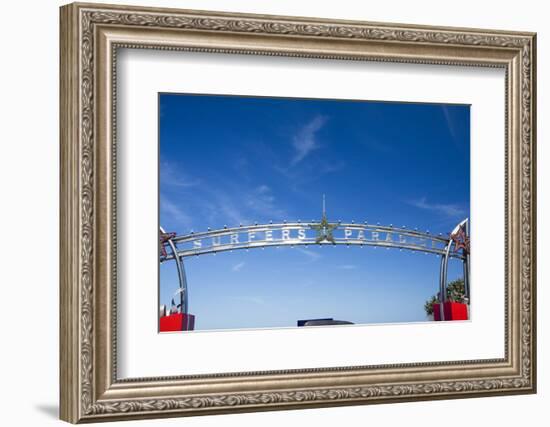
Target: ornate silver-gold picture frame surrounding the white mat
90 37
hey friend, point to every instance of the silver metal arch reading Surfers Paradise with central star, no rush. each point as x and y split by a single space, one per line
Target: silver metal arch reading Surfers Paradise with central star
456 245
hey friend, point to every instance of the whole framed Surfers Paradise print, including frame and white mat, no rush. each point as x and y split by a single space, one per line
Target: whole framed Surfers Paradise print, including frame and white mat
264 212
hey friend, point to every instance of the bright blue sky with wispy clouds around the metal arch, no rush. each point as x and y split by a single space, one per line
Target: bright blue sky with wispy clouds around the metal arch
226 160
